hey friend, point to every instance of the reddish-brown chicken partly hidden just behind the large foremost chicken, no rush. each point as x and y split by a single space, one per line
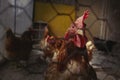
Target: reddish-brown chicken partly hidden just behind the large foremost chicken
49 45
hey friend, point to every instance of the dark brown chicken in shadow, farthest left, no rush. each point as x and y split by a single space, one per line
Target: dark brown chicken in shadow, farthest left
18 48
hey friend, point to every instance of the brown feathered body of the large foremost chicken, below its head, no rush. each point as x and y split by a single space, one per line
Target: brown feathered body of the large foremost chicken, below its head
67 62
